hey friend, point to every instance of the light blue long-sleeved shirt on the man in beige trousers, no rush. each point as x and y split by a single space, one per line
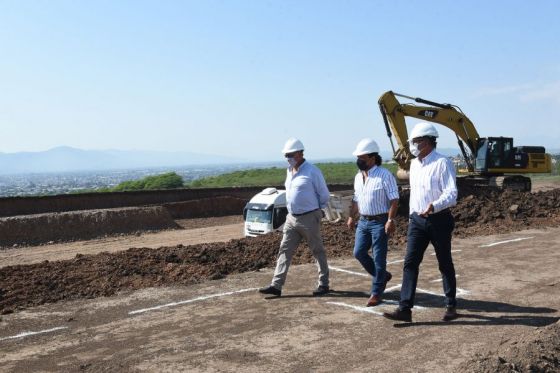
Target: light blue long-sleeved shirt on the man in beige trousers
306 190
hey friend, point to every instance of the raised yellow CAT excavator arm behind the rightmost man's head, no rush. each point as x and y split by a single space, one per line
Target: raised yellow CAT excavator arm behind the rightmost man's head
450 116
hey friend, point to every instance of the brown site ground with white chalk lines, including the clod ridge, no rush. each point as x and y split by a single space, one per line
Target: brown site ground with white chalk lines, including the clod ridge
508 279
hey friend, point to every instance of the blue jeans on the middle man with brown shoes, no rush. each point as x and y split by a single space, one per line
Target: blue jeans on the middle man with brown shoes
371 234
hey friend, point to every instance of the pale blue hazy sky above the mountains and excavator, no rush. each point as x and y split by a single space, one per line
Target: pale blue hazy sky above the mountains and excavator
239 77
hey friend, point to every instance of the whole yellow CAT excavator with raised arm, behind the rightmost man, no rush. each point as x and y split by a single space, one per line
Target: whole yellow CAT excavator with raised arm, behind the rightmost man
489 161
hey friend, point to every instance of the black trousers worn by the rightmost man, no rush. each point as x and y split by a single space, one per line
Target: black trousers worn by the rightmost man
435 229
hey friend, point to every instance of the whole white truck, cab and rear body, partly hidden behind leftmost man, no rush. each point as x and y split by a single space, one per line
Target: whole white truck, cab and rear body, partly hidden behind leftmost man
267 211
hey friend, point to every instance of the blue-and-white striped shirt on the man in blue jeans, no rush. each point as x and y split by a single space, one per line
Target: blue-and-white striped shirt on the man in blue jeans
374 195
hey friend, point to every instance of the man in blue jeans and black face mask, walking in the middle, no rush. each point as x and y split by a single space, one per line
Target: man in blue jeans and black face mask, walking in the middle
374 205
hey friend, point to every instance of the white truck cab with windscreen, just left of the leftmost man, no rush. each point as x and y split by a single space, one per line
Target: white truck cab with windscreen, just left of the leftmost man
265 212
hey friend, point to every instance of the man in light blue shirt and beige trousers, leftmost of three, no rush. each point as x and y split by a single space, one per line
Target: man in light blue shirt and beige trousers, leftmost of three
306 195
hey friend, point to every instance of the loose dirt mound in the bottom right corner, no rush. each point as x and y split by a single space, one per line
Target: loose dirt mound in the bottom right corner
538 351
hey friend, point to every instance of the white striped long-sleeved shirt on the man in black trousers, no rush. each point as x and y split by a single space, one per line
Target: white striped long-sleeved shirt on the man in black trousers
432 180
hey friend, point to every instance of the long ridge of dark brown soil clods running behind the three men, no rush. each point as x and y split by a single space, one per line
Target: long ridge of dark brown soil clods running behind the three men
88 276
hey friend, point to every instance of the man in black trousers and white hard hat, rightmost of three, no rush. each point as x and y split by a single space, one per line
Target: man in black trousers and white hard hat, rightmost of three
433 191
